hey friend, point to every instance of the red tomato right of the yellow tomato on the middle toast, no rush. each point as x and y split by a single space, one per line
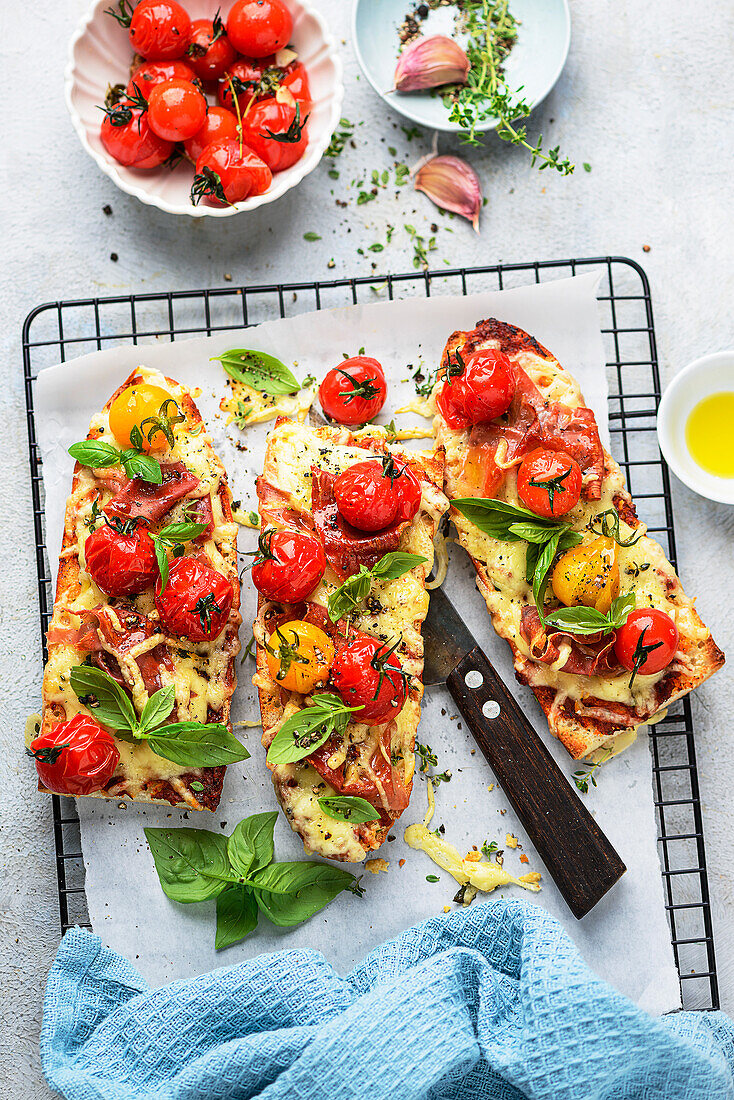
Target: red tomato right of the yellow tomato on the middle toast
367 675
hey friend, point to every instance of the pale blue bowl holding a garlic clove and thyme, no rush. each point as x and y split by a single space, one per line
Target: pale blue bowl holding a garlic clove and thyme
535 62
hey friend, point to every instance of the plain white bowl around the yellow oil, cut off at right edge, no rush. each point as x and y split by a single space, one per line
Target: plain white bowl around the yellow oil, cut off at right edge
713 375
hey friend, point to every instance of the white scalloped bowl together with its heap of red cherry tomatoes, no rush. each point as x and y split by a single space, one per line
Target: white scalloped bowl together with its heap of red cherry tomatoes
201 109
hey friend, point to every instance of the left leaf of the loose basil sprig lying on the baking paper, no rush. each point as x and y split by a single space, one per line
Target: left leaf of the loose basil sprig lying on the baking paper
192 863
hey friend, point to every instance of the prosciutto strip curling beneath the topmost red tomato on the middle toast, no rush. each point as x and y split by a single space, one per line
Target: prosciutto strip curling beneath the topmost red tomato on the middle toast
345 547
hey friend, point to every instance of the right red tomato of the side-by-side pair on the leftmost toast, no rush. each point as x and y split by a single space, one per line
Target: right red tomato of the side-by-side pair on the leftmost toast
196 602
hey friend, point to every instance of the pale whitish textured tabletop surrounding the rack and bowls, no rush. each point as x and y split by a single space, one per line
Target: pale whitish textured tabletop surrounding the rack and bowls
645 98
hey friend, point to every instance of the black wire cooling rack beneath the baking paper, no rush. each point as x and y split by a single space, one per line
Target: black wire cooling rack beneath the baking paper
62 331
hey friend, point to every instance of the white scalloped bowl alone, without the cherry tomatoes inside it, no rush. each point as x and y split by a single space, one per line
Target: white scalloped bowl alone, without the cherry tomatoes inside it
101 54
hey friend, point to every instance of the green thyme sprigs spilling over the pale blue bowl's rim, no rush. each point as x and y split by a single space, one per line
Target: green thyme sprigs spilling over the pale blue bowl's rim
492 31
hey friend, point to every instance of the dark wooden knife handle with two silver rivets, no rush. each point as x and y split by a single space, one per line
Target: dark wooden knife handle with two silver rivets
582 861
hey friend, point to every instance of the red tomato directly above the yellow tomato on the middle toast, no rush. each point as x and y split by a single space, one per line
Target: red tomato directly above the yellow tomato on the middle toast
289 566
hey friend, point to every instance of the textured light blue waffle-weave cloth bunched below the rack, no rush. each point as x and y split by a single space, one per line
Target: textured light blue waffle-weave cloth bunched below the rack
492 1003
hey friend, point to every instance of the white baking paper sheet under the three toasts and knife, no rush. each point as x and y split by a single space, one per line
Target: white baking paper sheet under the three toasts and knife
626 939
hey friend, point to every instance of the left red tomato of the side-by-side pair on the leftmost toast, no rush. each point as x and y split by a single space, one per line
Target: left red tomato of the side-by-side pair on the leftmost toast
120 558
